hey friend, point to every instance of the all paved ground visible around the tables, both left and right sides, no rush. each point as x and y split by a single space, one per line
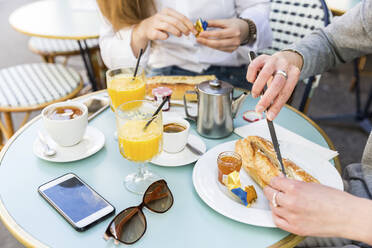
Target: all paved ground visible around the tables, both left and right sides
331 97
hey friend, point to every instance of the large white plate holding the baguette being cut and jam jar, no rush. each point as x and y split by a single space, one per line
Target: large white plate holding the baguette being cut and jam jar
259 214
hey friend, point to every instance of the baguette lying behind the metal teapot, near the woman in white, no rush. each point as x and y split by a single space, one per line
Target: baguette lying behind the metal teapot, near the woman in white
179 84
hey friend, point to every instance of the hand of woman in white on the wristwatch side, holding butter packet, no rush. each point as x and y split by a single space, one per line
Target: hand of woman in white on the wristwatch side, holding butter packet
228 37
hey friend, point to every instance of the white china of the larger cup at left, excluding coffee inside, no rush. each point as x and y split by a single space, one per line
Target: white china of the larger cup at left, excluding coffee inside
66 132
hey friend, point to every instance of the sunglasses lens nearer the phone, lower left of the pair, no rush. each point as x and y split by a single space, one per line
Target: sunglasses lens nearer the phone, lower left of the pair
129 225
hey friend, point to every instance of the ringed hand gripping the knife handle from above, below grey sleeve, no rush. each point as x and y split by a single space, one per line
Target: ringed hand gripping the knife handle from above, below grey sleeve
260 72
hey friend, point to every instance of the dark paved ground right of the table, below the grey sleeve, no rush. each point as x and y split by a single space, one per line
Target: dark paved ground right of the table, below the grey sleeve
333 97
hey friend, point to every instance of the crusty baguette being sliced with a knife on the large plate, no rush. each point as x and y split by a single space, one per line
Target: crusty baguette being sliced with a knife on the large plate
259 160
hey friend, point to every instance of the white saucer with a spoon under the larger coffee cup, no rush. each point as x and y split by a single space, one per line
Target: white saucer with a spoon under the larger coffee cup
92 142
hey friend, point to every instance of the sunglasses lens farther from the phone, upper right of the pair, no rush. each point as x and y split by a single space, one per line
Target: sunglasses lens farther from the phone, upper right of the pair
158 197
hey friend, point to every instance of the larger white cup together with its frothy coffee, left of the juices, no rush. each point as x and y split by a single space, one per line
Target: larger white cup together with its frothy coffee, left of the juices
66 122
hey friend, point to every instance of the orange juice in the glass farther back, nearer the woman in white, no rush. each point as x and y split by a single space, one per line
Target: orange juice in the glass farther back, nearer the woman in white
125 89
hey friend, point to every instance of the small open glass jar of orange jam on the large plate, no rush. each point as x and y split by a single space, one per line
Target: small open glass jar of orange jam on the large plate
228 162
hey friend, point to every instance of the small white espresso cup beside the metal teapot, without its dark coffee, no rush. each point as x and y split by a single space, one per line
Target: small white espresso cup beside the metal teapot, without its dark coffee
175 142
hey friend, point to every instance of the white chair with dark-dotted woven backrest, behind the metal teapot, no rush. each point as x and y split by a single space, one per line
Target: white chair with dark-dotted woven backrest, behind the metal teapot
292 20
